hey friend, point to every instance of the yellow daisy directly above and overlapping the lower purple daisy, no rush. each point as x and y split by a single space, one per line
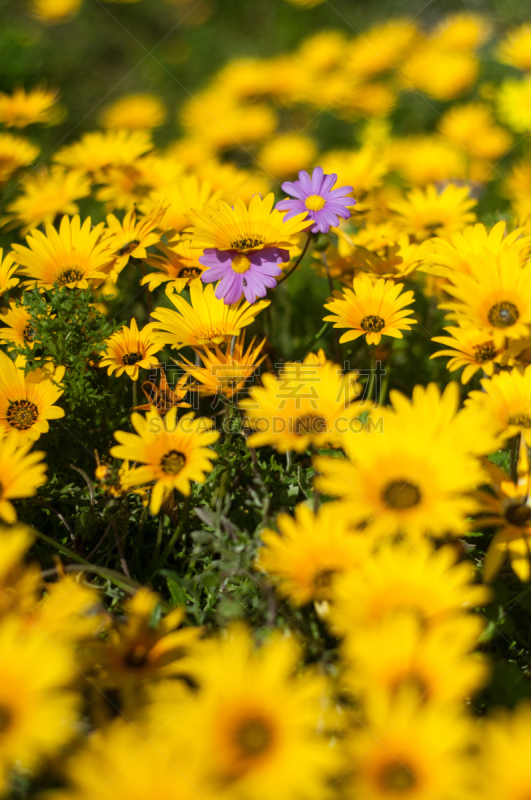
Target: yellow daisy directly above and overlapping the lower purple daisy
240 228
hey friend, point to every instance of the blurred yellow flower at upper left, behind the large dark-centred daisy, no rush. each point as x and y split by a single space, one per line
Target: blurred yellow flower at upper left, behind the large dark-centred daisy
45 195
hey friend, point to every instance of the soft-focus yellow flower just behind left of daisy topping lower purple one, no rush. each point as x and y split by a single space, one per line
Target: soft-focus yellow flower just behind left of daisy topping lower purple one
179 198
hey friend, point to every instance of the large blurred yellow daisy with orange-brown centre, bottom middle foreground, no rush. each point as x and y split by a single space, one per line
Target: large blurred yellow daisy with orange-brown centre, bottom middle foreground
256 721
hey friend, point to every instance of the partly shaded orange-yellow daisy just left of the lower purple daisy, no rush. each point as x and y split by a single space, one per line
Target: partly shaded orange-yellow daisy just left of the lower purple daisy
179 263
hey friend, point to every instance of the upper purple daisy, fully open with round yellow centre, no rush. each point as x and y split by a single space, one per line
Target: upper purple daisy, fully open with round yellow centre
315 196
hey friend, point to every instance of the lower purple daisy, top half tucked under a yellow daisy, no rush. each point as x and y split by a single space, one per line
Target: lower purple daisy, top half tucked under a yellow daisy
250 274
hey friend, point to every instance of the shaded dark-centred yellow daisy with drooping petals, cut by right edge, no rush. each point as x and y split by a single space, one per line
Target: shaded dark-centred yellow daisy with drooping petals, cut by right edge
507 507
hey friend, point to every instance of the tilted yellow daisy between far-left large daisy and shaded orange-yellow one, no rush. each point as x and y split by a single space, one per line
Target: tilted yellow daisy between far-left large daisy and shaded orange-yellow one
129 238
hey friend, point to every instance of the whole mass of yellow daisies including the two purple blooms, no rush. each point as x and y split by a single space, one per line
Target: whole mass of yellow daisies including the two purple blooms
241 714
